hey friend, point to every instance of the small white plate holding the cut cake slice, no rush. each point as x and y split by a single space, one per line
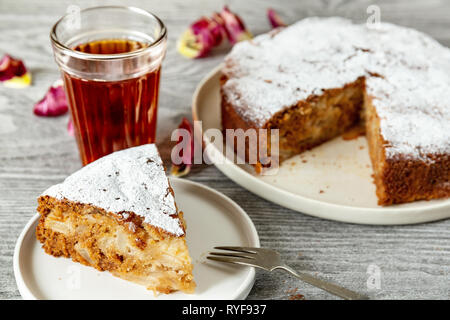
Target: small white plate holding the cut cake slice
212 220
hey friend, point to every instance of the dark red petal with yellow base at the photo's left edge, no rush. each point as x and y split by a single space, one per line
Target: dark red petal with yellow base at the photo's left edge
13 72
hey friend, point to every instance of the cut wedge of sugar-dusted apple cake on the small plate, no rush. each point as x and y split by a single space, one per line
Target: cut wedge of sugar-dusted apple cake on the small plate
118 214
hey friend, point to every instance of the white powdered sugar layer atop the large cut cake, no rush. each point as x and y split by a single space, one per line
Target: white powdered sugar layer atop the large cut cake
275 70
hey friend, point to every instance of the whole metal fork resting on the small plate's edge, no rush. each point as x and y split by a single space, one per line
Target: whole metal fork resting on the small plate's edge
270 260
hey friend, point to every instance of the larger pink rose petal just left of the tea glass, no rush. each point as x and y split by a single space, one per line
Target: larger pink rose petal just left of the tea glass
54 102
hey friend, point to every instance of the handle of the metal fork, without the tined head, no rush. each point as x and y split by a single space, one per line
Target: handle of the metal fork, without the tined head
327 286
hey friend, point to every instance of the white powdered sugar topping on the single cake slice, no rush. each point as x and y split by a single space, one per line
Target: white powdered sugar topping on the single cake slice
128 180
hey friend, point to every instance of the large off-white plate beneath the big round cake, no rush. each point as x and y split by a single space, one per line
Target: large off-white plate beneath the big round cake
332 181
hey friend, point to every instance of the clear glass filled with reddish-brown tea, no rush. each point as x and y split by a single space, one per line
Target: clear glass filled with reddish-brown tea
110 59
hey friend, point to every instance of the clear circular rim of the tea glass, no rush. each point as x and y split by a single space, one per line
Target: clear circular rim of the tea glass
114 56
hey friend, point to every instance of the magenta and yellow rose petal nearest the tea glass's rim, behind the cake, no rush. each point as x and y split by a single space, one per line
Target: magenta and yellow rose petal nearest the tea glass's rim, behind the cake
200 38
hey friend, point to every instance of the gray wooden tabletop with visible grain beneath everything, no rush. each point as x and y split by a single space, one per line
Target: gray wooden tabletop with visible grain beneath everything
414 261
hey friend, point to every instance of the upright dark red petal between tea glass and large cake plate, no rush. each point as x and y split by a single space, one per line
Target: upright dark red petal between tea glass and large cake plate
184 167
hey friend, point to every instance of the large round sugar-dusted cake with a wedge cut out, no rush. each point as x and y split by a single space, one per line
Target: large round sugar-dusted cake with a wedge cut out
321 76
